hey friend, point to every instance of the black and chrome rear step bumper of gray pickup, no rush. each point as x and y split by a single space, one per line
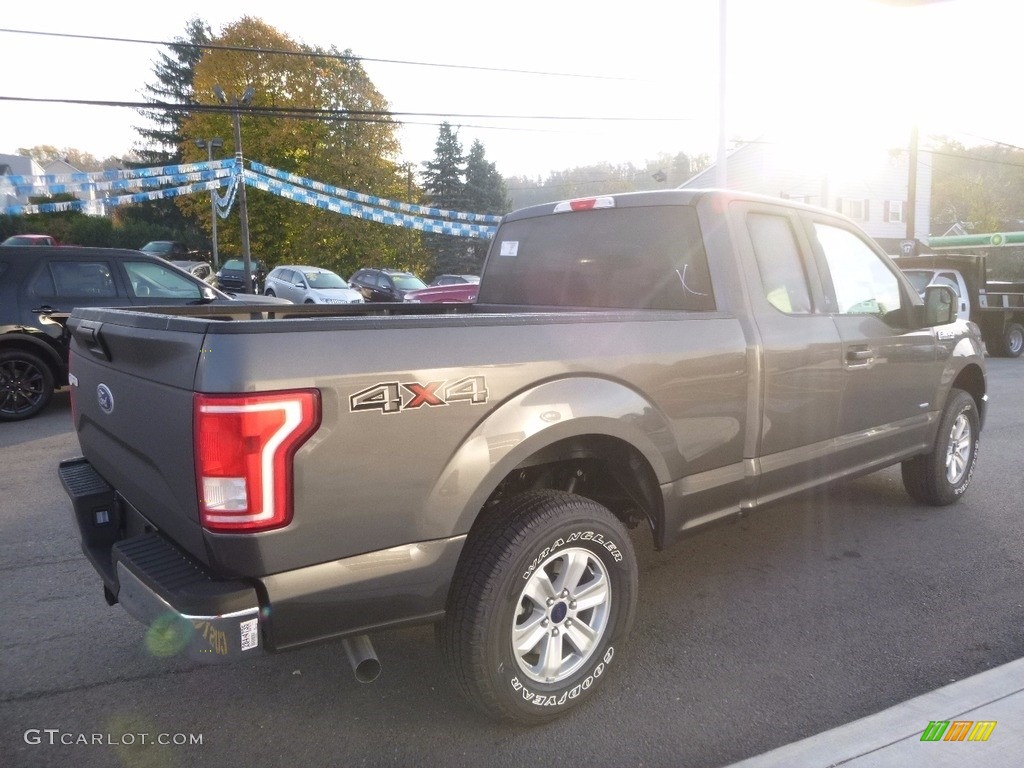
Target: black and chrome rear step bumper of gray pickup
188 611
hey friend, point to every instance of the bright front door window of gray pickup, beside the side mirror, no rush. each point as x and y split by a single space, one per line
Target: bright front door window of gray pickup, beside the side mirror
863 283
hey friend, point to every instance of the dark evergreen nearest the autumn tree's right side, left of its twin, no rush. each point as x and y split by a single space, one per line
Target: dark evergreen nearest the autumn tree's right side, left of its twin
446 188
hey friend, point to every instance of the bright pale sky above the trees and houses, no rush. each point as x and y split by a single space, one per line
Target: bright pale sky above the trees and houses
549 87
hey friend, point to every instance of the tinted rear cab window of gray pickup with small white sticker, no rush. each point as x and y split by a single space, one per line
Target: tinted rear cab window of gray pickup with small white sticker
631 259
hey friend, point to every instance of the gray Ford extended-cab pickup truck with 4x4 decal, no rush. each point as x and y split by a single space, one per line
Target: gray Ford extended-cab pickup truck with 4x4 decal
259 479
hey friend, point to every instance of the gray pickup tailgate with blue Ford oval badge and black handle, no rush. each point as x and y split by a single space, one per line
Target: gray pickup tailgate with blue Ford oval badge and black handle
133 392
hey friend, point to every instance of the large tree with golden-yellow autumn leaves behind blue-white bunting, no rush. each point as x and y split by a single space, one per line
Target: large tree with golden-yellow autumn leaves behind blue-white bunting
350 143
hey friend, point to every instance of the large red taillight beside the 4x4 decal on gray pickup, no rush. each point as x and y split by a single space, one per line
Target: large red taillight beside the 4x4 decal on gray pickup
244 451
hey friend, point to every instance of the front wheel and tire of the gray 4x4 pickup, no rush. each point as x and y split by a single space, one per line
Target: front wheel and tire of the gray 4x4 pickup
943 477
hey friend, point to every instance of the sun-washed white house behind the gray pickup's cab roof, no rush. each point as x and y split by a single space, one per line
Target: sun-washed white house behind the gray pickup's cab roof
871 188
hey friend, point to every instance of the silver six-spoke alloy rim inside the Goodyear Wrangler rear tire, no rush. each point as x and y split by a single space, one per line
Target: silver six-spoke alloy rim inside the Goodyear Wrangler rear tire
564 614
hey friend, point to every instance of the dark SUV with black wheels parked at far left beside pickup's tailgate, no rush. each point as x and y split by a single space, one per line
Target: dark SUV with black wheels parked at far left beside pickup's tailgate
39 287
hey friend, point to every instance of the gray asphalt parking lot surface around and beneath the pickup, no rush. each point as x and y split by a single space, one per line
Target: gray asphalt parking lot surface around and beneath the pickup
804 618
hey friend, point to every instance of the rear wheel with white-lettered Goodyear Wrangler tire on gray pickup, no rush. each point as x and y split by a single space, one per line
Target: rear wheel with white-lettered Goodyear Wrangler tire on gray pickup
524 574
